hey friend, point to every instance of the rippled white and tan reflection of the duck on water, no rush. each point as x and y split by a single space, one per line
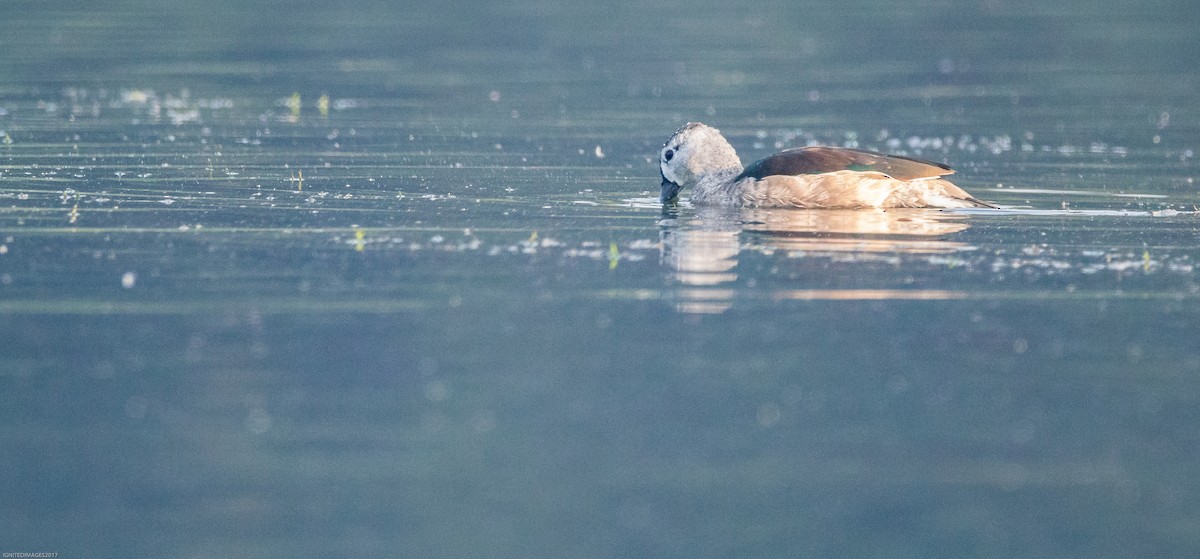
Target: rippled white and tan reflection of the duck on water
703 250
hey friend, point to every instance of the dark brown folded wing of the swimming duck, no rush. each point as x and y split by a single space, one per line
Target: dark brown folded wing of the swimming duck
817 160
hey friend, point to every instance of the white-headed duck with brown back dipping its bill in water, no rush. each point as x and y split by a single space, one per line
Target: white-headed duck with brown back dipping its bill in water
698 157
